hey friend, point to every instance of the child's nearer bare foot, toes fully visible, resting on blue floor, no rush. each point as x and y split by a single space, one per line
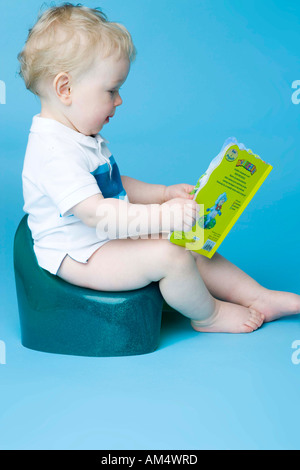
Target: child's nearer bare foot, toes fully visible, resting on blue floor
230 318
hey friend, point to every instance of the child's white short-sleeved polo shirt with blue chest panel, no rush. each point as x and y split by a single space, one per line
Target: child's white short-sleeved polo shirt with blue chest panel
62 167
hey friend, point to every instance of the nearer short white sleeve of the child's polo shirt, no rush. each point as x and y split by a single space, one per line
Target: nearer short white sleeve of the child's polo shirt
66 179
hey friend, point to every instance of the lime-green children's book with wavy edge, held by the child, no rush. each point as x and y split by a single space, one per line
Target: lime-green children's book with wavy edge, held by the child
223 192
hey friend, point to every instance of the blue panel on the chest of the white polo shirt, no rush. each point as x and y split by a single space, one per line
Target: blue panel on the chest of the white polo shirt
110 184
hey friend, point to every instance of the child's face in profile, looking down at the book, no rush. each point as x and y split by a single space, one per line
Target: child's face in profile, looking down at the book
96 96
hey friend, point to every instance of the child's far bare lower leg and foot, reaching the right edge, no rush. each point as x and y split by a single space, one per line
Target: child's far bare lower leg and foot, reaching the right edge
226 281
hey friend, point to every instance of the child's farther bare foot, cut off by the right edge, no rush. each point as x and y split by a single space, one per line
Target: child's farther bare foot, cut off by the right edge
276 304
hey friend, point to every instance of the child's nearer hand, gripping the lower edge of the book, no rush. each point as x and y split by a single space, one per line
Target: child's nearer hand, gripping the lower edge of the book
179 214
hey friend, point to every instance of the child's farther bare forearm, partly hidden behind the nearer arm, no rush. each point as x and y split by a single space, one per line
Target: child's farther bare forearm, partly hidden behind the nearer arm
143 193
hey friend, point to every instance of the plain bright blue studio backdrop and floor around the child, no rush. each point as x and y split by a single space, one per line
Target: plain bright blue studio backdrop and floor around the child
205 70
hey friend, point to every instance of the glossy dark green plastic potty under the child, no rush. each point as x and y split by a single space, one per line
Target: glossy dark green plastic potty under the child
58 317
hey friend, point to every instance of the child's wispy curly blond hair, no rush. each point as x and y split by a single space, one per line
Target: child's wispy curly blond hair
67 38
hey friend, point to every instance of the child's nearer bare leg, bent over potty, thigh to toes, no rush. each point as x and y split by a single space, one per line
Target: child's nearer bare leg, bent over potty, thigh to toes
131 264
